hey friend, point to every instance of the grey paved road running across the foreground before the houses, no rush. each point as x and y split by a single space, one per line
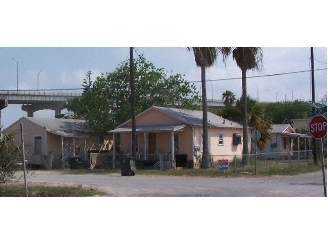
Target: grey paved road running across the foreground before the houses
305 185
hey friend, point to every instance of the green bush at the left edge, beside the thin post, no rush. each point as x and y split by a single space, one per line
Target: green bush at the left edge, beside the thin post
9 155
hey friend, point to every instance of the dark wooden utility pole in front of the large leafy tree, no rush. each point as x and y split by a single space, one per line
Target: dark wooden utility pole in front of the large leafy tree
133 114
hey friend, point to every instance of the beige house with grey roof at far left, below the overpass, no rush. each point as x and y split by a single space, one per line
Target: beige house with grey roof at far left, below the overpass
49 142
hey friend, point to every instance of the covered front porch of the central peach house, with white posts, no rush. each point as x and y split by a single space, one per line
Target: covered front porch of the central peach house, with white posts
161 147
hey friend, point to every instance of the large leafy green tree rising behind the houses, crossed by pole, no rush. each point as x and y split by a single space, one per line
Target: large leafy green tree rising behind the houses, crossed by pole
106 103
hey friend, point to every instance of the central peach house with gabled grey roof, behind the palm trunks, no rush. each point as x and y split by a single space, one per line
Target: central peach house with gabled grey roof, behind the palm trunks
175 136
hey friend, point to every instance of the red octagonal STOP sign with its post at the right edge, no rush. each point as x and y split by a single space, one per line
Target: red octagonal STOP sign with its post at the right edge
318 129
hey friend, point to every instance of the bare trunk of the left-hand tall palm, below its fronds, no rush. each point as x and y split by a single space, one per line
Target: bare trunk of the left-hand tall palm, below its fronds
205 157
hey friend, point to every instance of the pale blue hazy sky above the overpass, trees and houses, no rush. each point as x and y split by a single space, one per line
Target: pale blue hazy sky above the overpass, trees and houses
51 68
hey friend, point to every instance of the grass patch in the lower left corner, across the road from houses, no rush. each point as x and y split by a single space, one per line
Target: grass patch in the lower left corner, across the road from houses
14 190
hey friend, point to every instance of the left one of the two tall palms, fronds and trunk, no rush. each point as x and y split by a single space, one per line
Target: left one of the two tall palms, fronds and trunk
205 57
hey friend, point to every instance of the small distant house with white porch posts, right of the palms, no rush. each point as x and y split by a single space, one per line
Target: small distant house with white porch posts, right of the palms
283 141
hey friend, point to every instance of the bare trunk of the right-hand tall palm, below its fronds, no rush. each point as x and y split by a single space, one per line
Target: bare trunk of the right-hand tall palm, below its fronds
245 158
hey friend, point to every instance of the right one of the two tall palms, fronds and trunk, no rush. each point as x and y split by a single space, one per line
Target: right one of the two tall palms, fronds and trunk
246 58
